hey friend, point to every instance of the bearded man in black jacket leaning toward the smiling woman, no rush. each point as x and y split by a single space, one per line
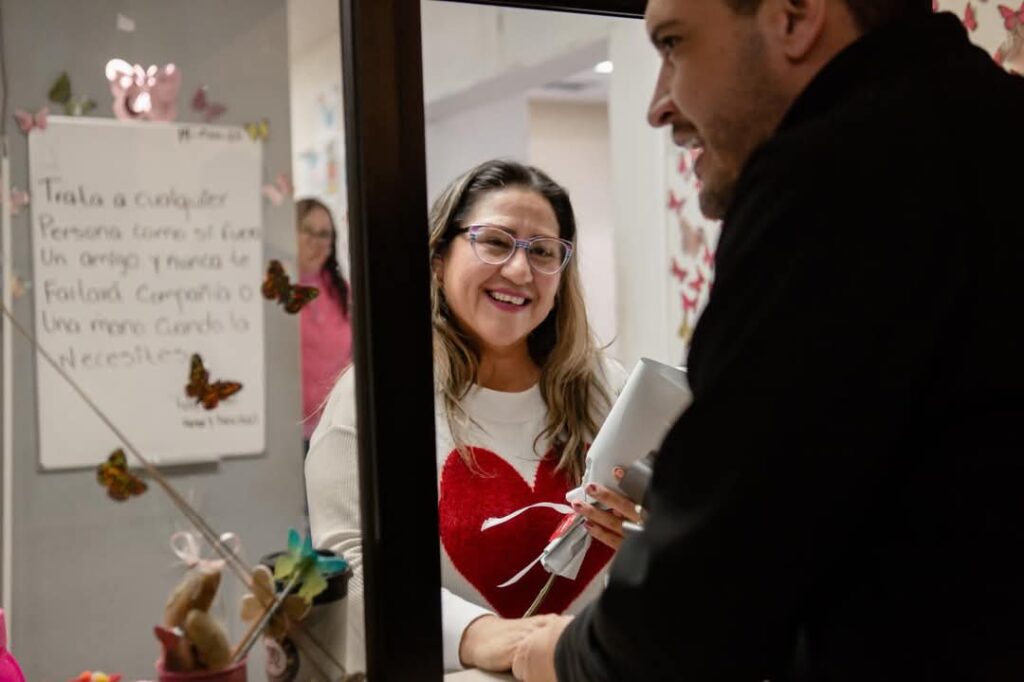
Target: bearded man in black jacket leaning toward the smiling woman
843 499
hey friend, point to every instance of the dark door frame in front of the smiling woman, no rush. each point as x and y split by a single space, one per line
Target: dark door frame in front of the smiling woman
388 223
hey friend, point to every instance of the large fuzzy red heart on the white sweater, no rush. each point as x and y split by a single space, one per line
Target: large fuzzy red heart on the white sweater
488 559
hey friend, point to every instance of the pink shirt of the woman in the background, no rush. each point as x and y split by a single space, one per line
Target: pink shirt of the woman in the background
327 348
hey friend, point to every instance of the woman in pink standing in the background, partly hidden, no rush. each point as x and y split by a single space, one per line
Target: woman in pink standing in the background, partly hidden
324 323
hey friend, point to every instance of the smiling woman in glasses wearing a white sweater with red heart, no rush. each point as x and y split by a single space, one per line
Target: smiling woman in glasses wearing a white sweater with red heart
523 390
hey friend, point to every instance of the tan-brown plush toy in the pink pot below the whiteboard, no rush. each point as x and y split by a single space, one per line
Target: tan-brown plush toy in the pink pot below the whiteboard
192 640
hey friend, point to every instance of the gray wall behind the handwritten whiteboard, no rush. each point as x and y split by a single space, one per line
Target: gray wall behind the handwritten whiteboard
91 577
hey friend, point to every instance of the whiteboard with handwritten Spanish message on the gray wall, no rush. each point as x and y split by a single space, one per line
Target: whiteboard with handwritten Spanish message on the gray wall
147 243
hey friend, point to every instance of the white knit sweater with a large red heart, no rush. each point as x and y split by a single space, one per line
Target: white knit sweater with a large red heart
509 475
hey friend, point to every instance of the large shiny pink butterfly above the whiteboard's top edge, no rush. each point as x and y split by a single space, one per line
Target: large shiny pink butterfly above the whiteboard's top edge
144 95
